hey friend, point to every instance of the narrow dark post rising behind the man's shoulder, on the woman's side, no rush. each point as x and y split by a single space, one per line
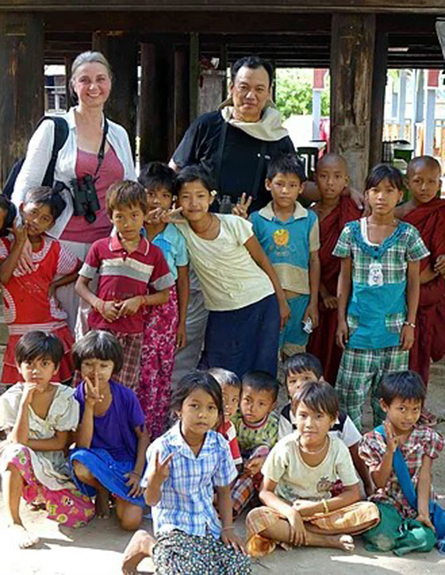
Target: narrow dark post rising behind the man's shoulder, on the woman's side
181 95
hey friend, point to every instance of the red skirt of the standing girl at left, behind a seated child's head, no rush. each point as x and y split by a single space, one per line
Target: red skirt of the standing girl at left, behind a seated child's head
11 374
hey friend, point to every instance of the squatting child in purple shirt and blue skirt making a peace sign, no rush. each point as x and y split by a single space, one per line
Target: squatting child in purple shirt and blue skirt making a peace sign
110 441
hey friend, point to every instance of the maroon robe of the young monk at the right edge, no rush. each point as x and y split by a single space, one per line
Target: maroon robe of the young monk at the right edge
429 344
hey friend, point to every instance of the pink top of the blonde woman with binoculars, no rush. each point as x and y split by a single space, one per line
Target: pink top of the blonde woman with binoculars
111 170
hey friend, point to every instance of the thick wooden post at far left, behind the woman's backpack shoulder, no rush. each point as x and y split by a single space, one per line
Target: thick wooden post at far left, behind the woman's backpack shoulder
22 84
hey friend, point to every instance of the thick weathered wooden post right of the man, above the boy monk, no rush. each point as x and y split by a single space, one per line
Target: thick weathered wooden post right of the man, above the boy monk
352 59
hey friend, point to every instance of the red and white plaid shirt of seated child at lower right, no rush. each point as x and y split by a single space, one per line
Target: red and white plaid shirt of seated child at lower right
422 441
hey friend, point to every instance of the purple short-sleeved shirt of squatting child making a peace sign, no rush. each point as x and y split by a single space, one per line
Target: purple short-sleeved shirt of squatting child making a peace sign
114 430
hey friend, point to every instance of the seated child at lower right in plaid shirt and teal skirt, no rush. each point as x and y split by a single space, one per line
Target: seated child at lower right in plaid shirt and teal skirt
401 396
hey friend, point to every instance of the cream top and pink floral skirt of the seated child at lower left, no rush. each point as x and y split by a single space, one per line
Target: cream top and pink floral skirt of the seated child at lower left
45 473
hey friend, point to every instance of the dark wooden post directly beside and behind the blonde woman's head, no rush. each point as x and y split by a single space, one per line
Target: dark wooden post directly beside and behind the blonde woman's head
121 50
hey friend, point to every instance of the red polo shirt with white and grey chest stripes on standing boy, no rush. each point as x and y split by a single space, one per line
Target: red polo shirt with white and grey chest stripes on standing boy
122 276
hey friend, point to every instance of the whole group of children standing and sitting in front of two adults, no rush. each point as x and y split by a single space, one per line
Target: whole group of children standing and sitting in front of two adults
354 280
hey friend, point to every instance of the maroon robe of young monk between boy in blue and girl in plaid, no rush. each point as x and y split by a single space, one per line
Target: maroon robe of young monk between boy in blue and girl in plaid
322 341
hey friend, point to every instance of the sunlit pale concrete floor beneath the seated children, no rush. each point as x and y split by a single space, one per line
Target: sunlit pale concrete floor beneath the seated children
97 549
